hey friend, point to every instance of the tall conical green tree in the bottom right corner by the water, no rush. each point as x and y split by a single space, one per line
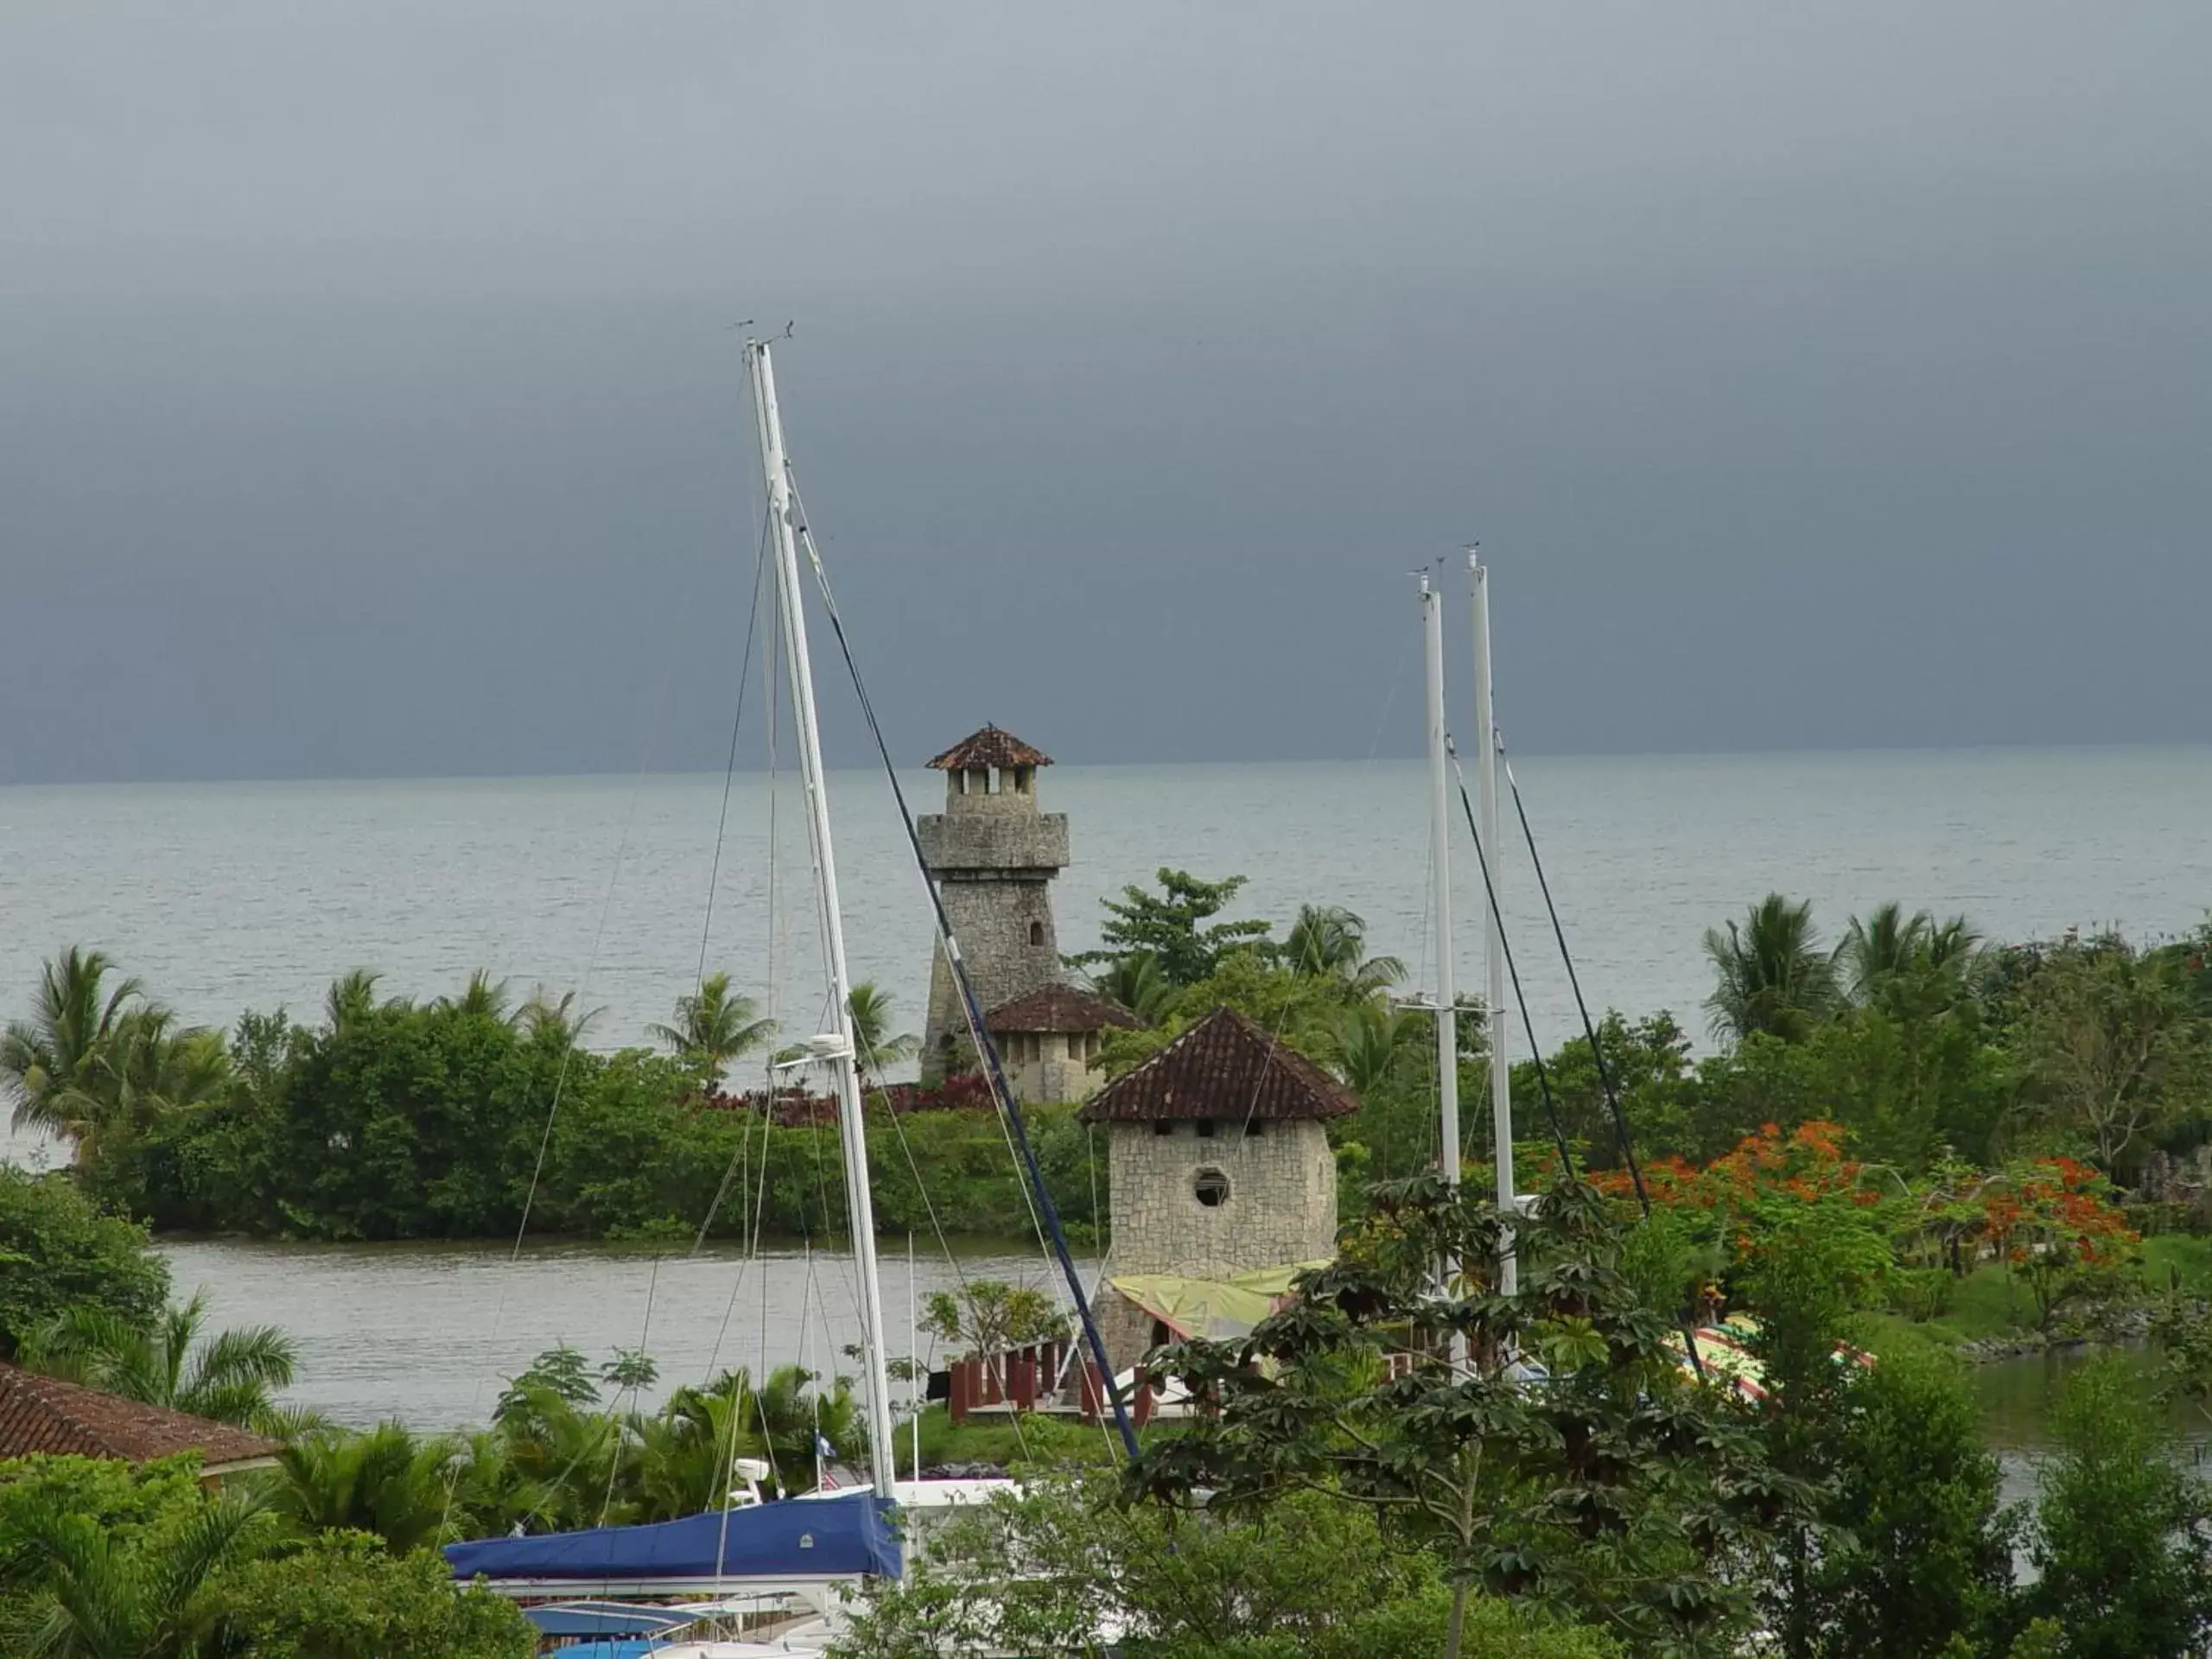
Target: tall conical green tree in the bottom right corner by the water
2122 1541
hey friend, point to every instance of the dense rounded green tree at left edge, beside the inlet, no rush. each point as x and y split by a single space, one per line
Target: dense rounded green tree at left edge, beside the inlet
61 1253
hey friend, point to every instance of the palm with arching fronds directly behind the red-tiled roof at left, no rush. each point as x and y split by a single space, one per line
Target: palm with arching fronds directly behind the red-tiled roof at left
231 1377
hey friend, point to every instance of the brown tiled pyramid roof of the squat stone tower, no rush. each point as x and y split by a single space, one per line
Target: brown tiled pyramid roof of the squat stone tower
1222 1067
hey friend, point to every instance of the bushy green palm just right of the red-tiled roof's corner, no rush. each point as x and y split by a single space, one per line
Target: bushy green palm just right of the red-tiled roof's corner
384 1481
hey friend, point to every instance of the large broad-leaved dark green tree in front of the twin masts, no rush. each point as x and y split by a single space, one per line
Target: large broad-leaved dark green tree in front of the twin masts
1611 1490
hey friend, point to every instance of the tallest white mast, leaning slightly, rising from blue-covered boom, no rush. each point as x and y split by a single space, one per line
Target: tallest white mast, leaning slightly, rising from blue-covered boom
835 1047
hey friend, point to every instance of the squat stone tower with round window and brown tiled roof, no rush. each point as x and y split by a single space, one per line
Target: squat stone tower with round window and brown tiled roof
1218 1158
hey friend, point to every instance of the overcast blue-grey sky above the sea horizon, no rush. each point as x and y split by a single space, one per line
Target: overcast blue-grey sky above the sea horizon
1819 375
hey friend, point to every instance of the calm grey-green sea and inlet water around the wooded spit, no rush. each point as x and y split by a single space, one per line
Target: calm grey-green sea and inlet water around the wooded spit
258 895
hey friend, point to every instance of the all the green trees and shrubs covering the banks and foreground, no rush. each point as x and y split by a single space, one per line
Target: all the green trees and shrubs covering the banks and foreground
1342 1488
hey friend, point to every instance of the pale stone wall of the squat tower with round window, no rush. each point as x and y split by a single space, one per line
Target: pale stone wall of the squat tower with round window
1282 1202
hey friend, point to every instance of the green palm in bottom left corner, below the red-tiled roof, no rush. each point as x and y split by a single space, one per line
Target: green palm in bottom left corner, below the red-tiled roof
118 1596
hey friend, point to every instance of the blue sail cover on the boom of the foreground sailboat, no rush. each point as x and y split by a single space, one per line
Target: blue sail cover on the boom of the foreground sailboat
797 1538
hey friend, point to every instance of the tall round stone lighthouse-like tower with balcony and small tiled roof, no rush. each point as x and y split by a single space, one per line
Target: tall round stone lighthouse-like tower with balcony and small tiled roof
994 859
